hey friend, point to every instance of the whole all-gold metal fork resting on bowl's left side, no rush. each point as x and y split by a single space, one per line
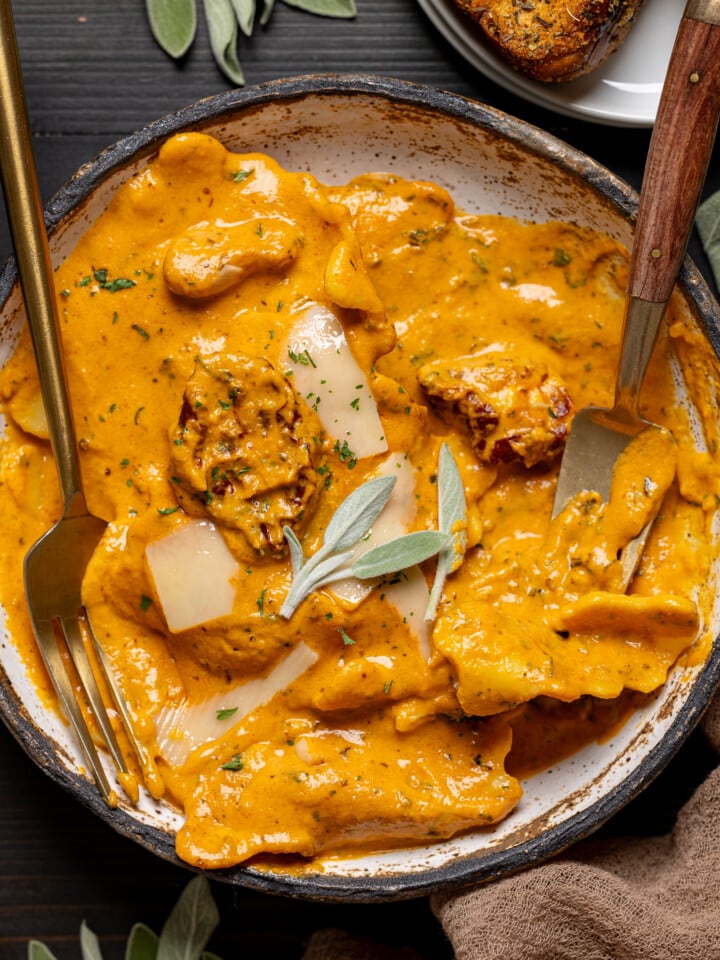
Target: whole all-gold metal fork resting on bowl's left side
55 565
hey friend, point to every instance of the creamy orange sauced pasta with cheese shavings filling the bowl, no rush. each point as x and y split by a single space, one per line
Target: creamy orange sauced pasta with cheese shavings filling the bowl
246 348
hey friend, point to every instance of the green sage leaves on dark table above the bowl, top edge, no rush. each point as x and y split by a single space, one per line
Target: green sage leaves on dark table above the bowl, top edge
173 24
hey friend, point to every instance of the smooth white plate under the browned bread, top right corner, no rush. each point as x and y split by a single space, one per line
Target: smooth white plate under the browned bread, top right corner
624 92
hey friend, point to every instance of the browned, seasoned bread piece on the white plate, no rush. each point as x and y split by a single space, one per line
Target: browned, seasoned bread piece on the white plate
553 40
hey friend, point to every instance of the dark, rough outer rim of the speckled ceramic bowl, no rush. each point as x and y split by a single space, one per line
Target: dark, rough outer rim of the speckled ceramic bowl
465 870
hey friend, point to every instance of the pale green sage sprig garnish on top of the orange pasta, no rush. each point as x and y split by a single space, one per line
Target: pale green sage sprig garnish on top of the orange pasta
352 521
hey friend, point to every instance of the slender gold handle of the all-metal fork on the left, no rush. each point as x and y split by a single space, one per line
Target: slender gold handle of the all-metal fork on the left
27 227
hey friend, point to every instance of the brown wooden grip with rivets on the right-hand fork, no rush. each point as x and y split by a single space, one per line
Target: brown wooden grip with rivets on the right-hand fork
679 153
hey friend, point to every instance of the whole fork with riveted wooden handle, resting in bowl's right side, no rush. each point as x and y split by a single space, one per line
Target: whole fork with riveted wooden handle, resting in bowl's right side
680 150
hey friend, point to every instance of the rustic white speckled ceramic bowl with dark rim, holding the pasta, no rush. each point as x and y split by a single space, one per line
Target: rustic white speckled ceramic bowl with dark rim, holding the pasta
338 127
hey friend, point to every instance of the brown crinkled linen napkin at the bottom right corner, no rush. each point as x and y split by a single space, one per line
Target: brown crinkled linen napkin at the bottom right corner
607 899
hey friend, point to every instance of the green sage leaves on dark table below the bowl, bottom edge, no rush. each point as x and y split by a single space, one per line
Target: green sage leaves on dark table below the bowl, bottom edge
184 936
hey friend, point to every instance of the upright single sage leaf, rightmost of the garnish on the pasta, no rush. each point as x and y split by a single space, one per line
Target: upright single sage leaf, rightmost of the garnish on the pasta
452 520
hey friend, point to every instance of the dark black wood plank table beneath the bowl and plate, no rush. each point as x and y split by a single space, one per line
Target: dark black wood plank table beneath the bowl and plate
93 74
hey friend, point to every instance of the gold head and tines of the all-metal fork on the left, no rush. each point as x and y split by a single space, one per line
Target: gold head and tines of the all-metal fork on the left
54 570
